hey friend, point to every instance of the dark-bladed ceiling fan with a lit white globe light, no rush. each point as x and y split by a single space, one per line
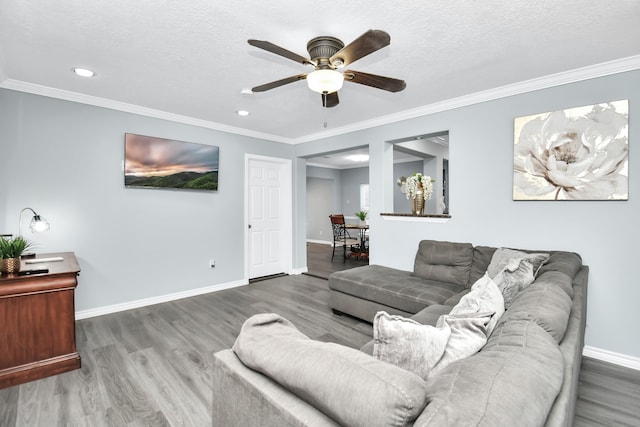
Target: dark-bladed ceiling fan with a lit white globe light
328 55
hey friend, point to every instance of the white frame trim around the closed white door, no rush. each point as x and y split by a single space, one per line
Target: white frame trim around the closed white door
286 207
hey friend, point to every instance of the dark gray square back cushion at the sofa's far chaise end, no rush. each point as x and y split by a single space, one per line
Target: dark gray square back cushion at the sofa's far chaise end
444 261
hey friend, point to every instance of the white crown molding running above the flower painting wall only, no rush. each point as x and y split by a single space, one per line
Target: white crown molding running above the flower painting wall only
572 76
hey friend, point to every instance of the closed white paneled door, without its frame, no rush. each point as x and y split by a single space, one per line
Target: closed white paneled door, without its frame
268 216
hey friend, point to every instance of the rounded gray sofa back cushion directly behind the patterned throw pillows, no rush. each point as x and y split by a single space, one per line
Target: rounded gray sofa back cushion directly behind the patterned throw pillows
546 304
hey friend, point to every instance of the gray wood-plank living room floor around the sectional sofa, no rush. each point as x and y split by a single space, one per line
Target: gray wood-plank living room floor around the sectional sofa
152 366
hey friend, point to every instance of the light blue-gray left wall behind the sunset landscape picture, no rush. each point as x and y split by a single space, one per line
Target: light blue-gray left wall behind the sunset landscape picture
64 160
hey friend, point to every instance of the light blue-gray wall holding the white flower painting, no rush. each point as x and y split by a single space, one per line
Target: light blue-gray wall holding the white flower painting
606 234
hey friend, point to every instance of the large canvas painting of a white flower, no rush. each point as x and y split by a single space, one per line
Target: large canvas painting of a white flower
574 154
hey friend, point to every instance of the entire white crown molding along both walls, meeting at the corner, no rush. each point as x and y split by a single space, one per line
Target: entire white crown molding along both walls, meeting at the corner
572 76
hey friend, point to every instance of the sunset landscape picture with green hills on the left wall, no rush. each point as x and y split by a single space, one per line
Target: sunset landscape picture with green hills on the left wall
152 162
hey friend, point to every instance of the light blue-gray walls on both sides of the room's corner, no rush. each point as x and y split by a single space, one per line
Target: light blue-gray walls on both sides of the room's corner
65 160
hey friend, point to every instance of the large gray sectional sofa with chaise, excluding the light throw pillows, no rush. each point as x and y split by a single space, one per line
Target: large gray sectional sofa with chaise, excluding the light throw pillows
525 374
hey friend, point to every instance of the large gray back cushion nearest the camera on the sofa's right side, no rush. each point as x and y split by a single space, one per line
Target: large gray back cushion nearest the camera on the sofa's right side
513 381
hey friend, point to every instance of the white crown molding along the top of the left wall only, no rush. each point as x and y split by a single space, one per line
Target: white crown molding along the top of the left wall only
135 109
